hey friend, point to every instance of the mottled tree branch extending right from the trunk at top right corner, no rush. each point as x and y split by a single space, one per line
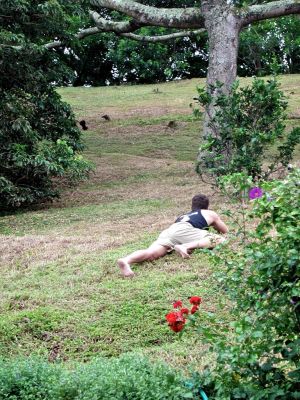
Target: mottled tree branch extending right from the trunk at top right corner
269 10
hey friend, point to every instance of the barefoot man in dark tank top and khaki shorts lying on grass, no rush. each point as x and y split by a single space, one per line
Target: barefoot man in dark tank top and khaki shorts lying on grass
189 232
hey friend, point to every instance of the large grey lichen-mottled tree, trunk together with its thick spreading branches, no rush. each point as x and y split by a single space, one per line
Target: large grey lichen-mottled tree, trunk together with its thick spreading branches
222 20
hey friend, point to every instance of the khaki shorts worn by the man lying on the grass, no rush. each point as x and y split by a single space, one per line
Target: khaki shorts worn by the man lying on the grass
183 232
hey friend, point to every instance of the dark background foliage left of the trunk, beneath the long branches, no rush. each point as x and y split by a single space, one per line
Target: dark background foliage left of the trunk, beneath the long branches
108 58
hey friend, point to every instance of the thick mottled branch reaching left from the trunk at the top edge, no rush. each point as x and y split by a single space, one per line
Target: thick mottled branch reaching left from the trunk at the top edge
181 18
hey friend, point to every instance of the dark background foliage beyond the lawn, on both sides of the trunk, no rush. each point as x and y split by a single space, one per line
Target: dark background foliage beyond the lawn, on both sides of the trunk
109 58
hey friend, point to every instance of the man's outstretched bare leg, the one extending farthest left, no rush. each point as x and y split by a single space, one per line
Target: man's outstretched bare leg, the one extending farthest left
152 253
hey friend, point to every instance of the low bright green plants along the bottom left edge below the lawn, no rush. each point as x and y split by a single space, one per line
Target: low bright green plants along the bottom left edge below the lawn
128 377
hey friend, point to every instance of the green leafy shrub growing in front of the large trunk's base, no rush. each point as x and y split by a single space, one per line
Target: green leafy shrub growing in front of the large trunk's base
246 123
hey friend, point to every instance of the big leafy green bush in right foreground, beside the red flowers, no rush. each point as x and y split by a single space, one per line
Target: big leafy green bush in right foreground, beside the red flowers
258 357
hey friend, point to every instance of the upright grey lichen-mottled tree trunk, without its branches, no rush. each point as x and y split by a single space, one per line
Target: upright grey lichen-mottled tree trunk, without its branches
223 28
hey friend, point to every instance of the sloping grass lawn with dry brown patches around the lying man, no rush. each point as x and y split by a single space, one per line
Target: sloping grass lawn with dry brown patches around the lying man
62 295
